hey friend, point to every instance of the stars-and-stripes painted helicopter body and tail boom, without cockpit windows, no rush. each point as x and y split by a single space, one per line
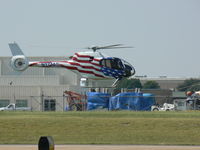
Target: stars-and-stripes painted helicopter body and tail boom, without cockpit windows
87 64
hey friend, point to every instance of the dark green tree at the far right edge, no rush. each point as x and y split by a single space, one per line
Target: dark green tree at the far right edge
190 85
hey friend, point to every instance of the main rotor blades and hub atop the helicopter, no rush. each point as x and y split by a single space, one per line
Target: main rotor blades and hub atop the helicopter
115 46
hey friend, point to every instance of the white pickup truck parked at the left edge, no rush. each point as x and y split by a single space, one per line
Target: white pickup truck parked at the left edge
12 107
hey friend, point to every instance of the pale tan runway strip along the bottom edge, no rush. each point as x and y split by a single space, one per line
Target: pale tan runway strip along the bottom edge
101 147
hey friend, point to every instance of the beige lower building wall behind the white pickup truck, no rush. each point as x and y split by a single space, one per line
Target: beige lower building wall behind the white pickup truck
35 96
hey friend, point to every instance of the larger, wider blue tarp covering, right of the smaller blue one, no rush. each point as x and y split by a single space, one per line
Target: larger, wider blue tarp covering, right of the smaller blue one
132 101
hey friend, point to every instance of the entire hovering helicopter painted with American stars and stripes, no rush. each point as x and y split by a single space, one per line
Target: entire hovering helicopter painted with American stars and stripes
90 64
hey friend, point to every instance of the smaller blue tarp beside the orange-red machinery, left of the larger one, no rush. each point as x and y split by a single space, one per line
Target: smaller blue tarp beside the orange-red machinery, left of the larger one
97 100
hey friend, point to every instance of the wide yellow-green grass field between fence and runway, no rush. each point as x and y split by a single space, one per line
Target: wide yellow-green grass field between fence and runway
122 127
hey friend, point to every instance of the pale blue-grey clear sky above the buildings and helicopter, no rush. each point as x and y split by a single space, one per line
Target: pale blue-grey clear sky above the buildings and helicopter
165 34
